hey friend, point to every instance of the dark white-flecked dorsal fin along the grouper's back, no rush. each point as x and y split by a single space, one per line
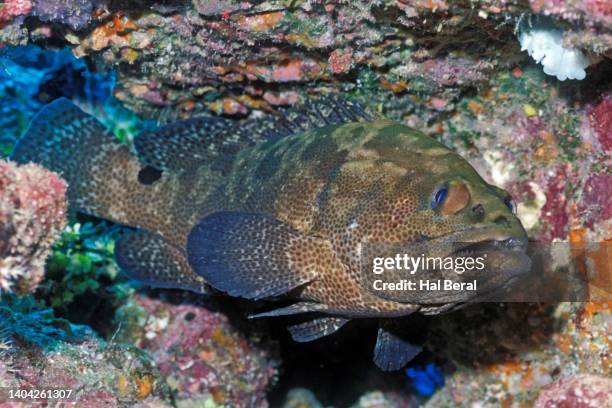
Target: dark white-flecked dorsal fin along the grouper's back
190 143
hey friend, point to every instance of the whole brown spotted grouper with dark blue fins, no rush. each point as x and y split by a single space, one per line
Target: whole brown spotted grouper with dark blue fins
293 205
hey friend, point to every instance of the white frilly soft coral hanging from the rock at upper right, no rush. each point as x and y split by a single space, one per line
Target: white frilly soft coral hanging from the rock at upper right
545 45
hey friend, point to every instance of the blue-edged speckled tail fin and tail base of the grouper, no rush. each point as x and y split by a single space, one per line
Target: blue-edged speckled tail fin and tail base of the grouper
64 139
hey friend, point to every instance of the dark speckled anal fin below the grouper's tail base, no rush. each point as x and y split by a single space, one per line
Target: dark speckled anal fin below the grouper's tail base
149 258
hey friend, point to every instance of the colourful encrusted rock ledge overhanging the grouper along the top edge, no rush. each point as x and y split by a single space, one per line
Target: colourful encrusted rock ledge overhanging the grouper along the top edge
180 61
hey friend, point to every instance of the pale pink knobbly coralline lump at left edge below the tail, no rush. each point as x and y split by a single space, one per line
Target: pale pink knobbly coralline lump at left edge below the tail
32 214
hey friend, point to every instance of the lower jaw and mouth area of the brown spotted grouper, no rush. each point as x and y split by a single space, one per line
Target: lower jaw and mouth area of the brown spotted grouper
503 255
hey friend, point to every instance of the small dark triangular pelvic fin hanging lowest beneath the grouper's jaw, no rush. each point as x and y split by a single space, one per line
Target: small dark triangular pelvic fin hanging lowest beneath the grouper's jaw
392 352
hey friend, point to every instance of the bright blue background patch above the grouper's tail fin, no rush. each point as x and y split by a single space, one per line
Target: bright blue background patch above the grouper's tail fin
31 77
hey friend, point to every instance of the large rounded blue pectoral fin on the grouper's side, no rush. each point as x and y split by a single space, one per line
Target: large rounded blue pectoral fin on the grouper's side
253 255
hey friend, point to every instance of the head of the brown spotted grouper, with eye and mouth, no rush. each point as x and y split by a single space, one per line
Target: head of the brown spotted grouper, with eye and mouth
427 201
